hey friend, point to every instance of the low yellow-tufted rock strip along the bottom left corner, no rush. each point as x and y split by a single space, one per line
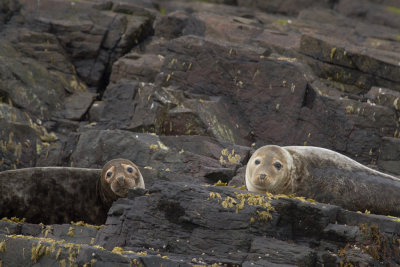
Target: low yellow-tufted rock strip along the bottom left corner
50 252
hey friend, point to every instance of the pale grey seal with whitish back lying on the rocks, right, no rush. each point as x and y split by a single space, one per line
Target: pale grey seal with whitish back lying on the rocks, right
323 175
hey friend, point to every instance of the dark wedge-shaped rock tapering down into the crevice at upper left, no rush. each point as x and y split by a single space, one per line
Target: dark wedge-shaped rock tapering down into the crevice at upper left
93 38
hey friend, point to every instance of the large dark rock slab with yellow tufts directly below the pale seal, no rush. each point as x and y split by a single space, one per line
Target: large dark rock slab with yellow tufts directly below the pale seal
210 224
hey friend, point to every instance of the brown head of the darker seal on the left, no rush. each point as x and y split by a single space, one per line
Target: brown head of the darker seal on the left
117 177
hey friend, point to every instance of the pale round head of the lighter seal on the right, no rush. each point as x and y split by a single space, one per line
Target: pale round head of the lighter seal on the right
269 169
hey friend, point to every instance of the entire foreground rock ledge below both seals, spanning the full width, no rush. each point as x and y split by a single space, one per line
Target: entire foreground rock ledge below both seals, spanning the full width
184 224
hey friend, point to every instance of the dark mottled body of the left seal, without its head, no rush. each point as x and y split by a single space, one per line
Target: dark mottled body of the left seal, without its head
52 195
